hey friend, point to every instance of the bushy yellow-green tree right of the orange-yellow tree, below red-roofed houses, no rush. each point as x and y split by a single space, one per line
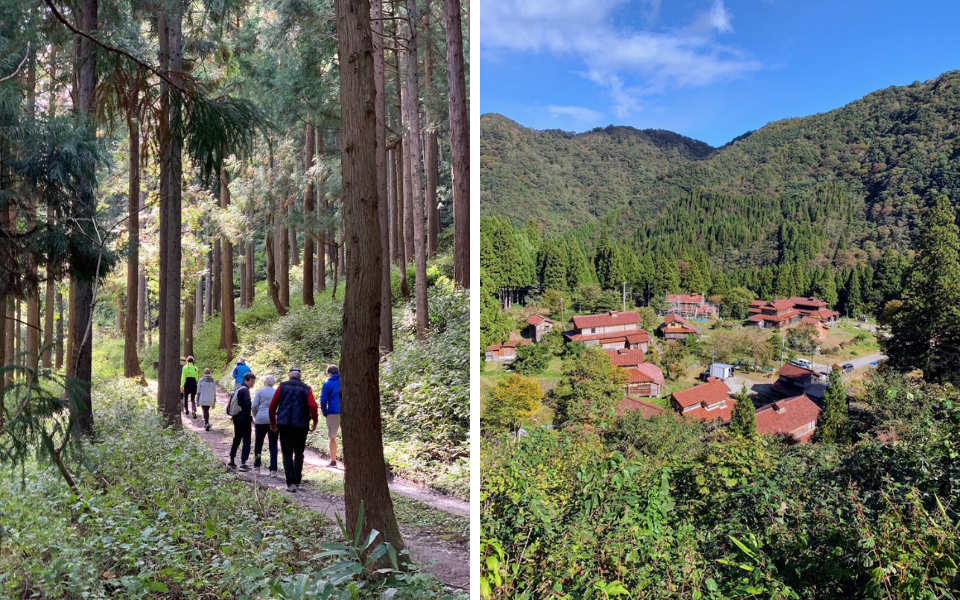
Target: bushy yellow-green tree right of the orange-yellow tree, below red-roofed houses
589 389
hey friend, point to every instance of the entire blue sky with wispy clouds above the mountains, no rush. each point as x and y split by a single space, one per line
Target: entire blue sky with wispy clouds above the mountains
708 69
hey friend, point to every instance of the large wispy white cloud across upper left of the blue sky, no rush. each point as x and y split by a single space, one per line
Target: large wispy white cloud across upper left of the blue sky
584 30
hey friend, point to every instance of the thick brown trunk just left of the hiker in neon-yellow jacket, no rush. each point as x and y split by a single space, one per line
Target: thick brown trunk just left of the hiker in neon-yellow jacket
171 57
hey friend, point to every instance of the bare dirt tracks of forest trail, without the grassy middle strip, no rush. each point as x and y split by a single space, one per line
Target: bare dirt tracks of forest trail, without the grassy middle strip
452 559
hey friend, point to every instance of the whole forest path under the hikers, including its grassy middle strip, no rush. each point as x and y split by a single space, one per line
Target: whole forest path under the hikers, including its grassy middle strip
434 527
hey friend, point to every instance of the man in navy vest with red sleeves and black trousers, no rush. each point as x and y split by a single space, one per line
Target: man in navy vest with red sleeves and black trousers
291 408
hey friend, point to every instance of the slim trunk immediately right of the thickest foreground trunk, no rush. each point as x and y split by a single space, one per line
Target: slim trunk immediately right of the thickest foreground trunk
383 210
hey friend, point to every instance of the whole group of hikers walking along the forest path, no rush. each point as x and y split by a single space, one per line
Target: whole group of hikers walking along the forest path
286 414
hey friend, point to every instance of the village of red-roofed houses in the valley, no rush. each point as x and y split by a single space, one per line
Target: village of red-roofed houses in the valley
787 395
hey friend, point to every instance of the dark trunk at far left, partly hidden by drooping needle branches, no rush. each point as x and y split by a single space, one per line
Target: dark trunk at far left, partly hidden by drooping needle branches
85 212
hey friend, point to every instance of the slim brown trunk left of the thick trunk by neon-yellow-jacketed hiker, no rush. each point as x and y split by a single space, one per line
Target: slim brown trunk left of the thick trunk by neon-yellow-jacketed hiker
132 332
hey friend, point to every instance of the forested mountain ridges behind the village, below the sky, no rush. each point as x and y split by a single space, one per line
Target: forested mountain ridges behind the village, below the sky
884 157
